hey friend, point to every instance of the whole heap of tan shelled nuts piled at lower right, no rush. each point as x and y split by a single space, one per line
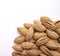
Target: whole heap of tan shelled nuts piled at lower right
39 39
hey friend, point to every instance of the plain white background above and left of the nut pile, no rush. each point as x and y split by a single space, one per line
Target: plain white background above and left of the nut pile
14 13
